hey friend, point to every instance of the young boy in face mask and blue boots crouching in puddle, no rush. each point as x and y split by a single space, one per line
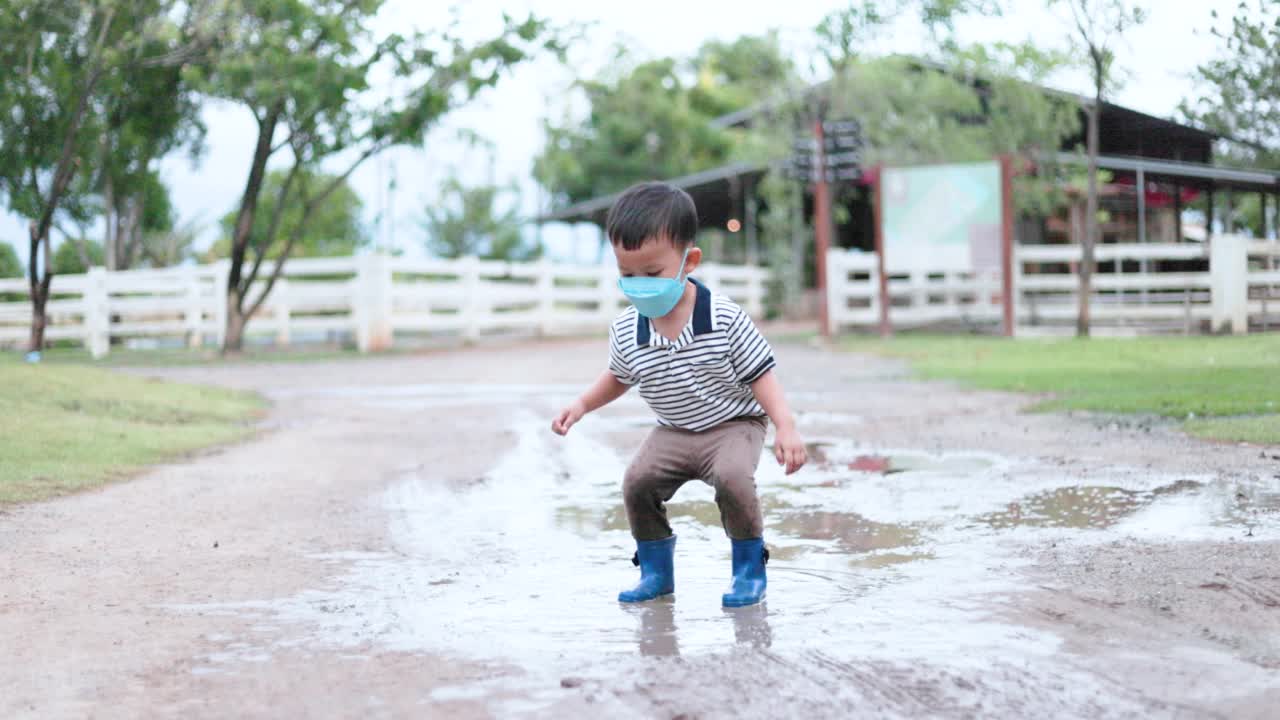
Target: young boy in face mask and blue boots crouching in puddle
707 373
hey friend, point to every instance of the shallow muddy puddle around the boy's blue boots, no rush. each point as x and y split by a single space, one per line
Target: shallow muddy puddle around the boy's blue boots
879 554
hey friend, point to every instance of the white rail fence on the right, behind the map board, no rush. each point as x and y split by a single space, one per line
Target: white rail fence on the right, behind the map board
1148 288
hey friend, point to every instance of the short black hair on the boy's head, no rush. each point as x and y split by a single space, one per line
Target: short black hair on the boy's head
652 211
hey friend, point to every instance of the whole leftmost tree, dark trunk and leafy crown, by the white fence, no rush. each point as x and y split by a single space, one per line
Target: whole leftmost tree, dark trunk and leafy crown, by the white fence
63 63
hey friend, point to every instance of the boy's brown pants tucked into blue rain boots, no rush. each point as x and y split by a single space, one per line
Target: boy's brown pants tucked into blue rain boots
724 457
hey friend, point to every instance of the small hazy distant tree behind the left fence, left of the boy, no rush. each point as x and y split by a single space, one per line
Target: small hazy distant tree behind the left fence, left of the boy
467 221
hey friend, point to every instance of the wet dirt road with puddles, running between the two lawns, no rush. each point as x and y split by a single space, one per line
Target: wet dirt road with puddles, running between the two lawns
408 539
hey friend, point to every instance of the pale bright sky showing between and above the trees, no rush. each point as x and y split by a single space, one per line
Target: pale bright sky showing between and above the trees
1159 58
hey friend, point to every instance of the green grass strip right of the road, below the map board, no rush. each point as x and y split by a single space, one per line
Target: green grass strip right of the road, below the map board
1224 388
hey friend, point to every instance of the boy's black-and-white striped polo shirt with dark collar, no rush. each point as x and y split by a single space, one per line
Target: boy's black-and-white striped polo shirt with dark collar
703 377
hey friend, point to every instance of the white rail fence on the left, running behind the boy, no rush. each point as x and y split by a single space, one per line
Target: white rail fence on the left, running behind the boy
372 298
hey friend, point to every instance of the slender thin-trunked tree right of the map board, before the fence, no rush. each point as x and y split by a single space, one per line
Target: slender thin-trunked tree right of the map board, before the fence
1098 26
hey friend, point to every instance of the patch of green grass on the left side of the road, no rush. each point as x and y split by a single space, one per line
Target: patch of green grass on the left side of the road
66 429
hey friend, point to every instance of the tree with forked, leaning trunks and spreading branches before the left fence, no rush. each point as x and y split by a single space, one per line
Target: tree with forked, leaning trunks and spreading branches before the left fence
305 71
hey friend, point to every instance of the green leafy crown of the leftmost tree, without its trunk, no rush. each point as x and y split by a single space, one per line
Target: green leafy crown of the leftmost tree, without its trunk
72 71
